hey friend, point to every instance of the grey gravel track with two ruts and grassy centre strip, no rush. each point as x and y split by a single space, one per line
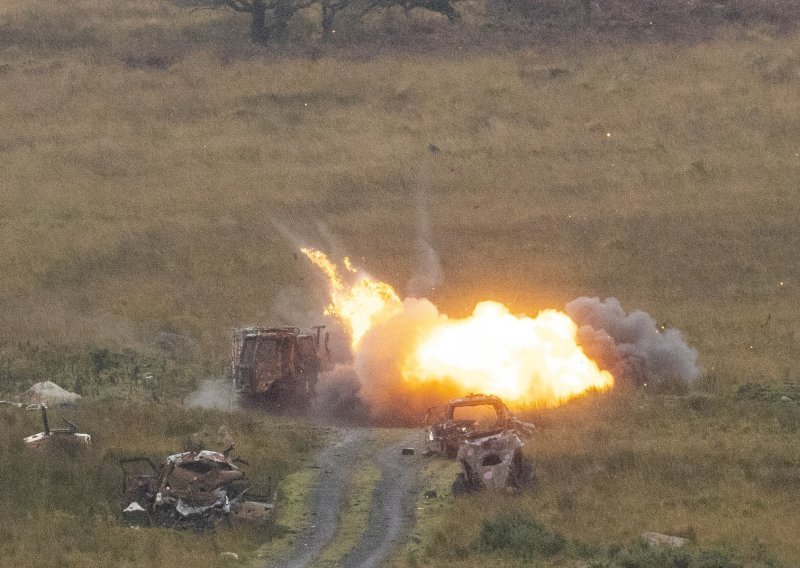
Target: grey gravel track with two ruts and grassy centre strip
392 506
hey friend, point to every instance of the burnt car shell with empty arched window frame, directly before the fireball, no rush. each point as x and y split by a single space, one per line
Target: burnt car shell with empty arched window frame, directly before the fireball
466 417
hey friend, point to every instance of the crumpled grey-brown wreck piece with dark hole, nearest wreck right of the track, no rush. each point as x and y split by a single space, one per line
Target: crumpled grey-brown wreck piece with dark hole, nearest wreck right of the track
493 461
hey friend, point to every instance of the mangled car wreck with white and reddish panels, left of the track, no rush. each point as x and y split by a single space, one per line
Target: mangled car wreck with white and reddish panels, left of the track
190 490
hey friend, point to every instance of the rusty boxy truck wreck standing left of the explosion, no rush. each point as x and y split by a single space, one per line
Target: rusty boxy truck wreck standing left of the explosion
279 364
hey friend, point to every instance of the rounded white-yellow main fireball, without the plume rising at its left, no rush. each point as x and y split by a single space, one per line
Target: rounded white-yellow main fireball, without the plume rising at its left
532 361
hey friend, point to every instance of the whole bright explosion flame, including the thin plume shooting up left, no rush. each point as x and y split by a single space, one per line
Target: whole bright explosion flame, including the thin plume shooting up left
530 361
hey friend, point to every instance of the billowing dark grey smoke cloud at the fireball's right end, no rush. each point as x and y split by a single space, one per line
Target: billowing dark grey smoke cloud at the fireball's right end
632 346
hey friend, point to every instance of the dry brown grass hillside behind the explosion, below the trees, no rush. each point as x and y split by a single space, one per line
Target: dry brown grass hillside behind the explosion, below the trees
136 200
